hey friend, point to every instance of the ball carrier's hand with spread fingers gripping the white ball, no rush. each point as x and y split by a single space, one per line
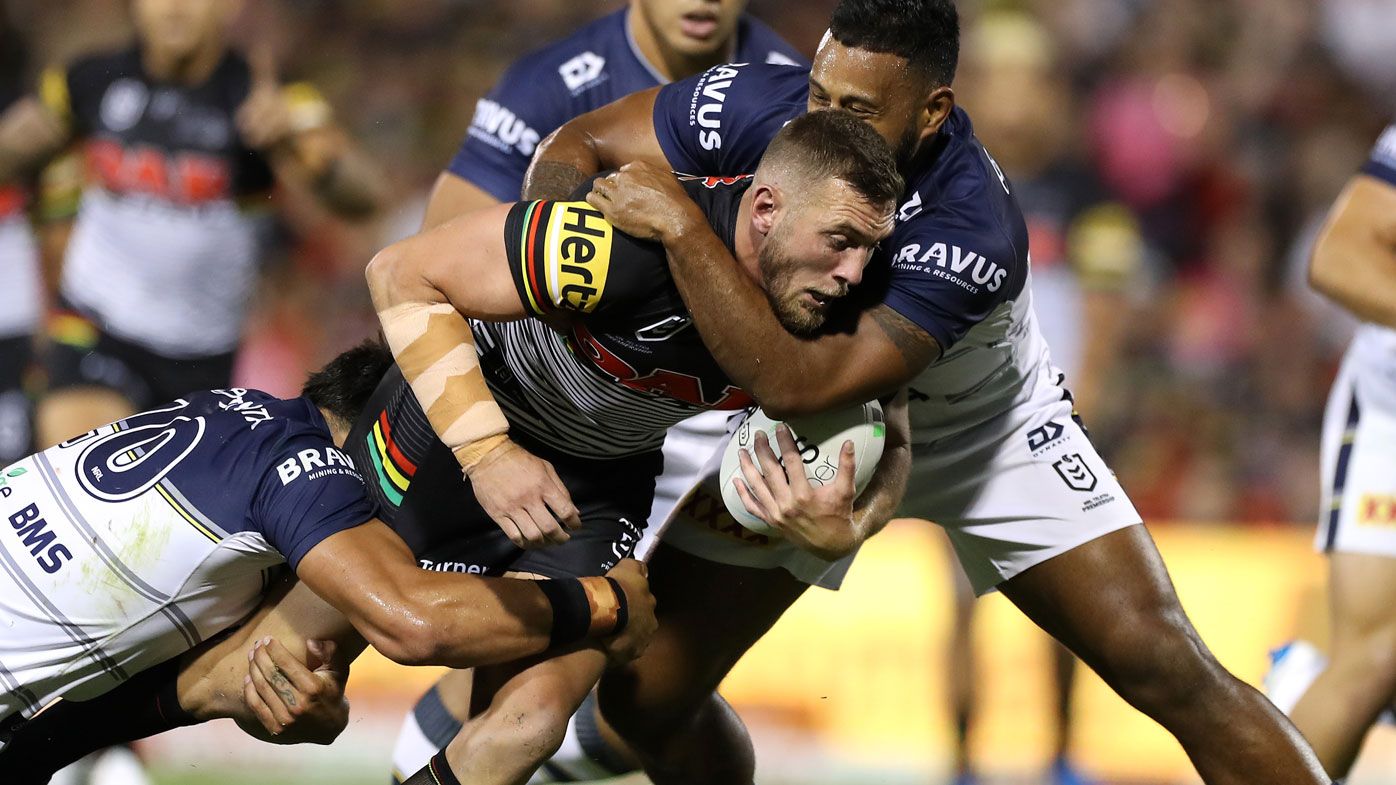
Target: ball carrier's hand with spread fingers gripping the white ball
817 519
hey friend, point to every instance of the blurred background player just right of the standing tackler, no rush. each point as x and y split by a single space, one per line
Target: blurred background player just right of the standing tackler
1085 251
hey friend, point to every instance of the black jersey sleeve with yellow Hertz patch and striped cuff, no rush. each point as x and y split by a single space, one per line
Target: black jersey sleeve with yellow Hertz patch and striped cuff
565 256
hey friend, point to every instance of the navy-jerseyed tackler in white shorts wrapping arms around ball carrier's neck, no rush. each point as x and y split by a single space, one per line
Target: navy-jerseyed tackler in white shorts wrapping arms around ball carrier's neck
1000 460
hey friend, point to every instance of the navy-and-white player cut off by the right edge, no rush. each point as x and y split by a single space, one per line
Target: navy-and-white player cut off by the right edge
1355 265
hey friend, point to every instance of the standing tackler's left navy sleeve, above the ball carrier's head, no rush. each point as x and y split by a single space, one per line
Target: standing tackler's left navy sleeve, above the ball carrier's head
722 121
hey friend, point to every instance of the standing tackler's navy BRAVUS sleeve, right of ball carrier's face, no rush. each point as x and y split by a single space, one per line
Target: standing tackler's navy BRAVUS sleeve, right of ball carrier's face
947 280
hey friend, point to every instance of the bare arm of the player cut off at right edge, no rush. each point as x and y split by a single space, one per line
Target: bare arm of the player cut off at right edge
1355 259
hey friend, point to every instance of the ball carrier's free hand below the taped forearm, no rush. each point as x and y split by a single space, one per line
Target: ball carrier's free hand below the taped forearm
524 497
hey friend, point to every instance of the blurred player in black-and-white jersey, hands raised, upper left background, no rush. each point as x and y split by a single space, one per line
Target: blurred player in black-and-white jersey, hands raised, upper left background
181 133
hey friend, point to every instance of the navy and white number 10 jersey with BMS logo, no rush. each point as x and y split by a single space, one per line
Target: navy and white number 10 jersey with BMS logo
142 540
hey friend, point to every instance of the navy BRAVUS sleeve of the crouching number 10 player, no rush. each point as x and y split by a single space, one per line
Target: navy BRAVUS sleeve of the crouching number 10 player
311 492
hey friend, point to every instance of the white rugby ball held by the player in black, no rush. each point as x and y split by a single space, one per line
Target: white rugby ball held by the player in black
820 439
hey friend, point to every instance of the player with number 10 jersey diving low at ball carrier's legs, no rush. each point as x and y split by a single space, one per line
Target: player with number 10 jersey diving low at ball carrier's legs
143 540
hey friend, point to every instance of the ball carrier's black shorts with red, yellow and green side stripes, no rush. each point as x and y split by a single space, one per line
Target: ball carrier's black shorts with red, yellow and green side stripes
422 495
